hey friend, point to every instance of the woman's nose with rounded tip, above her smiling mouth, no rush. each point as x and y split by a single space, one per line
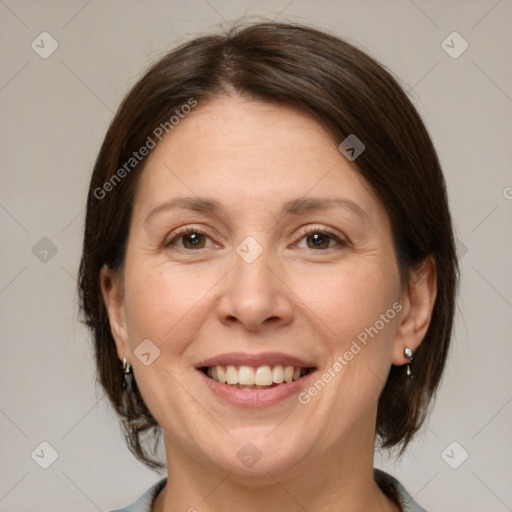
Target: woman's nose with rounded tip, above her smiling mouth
254 296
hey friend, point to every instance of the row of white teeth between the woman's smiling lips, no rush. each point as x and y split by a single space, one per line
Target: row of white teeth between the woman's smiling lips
261 377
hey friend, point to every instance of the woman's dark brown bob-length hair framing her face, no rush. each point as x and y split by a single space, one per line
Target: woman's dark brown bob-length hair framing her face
346 91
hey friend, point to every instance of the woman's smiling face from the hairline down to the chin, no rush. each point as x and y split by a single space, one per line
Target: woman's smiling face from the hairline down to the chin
228 265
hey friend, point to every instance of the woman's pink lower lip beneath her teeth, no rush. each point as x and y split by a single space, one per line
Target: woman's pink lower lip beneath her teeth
256 397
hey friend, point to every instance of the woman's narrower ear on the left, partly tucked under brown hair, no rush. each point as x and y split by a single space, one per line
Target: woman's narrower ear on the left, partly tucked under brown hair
113 297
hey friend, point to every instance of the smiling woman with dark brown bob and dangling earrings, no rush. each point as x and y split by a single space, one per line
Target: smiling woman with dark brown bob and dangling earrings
269 273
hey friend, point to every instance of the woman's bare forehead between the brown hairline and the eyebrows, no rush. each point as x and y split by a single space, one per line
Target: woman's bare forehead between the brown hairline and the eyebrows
249 154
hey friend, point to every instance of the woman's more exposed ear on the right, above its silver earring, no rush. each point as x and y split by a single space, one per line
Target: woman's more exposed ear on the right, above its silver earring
418 302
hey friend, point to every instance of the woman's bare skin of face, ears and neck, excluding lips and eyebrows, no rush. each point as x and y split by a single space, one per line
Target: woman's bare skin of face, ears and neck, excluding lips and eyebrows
295 298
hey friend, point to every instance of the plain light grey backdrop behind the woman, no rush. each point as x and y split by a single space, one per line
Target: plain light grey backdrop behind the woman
54 115
